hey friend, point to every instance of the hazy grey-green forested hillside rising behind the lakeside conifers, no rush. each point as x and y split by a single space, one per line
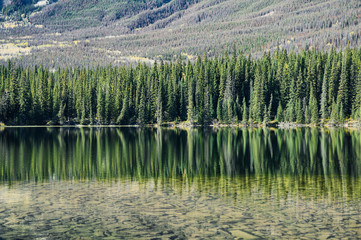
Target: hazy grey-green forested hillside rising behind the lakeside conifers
100 32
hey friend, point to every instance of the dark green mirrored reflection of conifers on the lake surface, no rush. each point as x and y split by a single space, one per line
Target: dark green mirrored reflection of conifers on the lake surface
306 155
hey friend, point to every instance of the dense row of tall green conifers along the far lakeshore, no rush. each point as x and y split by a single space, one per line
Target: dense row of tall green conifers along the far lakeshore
309 87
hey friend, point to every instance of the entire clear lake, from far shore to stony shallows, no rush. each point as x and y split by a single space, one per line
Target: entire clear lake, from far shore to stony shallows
149 183
